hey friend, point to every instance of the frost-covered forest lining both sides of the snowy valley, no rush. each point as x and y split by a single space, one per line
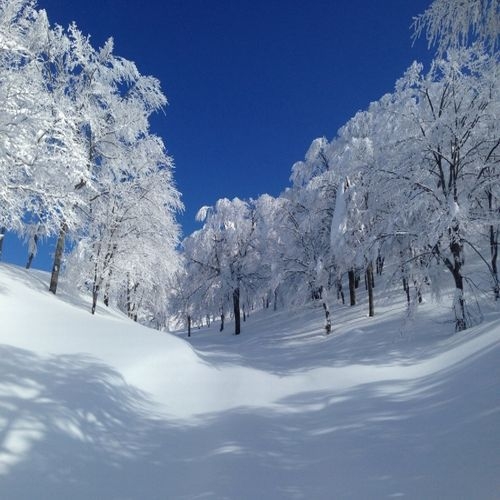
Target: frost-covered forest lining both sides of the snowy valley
408 187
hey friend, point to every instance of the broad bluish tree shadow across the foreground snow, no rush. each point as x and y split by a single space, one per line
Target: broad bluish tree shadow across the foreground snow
71 427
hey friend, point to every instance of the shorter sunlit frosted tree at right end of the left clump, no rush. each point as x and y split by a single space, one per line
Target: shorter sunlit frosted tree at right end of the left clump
131 227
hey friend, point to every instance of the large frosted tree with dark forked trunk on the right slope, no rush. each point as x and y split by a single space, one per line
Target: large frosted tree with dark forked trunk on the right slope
437 163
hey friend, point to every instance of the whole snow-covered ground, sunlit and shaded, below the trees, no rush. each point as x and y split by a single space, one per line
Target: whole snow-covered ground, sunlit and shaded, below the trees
100 408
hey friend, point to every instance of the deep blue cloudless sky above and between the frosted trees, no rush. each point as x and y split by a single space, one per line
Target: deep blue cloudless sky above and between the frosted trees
250 82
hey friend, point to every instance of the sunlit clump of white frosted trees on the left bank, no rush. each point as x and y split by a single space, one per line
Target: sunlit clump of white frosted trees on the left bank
77 159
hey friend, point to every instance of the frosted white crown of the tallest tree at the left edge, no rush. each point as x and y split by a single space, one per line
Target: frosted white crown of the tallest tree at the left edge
40 155
